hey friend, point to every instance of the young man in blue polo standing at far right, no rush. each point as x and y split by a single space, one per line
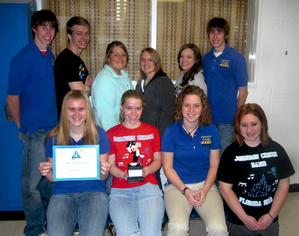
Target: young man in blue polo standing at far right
225 73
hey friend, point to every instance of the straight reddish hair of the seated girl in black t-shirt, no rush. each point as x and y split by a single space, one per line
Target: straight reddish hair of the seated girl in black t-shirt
256 110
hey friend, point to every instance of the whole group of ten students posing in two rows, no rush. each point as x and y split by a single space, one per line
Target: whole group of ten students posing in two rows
208 106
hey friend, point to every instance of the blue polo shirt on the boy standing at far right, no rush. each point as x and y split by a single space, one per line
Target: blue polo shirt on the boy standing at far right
224 75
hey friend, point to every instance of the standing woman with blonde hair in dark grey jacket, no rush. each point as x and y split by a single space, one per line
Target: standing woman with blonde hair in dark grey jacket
157 89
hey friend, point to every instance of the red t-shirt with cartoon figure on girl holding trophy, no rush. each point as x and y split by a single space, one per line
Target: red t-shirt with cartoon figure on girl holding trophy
141 142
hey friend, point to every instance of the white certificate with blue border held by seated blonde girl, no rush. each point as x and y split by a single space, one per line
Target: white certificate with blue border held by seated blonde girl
79 162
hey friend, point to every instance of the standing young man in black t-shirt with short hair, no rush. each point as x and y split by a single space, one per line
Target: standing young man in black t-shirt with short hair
70 70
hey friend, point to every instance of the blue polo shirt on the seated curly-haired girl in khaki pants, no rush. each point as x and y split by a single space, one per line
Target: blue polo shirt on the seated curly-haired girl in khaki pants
190 154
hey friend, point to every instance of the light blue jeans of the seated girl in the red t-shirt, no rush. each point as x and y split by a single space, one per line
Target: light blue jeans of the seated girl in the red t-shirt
137 211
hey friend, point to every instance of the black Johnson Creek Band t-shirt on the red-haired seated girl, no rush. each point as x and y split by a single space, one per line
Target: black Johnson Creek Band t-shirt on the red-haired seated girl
254 174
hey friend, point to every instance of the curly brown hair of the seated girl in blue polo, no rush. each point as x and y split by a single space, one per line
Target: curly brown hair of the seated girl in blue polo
205 117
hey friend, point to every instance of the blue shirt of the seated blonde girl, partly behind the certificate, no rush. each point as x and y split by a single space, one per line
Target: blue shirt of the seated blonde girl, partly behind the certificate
84 185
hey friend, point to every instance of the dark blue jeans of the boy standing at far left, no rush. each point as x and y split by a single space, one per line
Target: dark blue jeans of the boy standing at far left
36 190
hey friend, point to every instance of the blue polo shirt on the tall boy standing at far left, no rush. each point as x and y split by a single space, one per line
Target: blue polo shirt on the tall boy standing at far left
31 77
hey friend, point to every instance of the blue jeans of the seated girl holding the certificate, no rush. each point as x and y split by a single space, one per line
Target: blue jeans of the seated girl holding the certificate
89 209
